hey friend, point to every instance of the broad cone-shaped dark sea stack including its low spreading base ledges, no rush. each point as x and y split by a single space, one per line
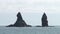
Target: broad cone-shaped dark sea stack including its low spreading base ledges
20 22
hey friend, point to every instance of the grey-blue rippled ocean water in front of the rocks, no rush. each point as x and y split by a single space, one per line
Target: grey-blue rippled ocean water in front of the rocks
29 30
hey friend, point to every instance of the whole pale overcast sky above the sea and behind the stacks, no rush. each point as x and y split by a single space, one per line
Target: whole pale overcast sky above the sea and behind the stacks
29 8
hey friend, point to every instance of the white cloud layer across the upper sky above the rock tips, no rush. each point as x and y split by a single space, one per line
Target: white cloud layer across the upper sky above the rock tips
52 6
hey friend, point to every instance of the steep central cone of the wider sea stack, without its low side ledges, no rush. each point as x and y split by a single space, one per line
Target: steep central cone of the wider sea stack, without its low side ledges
20 22
